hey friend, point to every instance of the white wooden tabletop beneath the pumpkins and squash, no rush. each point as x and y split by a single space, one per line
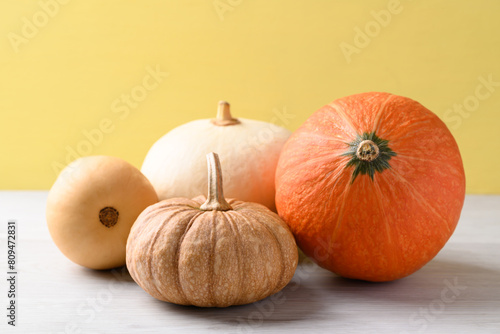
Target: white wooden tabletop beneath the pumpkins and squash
457 292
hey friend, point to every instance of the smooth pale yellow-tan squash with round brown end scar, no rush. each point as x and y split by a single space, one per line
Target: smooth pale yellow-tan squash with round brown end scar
91 207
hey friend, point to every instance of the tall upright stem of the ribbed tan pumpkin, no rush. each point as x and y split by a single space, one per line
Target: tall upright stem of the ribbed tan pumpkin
215 199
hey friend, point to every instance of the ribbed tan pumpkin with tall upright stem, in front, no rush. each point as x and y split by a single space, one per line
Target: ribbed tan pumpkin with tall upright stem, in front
212 253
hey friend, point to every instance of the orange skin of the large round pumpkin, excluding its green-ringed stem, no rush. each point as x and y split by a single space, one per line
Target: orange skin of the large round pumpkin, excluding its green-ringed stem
378 229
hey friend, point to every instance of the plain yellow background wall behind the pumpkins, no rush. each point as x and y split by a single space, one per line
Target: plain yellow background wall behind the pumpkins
67 67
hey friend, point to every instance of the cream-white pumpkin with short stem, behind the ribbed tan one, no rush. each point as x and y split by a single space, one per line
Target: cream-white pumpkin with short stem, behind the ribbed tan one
249 150
